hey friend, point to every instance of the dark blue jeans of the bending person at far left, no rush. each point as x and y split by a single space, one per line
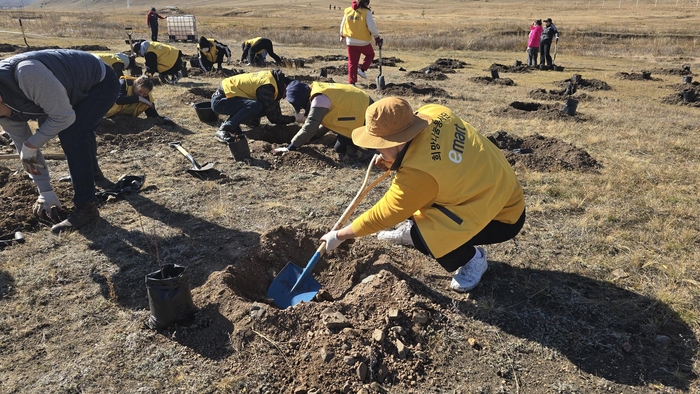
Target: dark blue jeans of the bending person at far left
78 140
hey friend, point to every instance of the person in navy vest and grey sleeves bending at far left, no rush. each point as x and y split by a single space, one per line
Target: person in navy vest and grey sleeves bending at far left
67 92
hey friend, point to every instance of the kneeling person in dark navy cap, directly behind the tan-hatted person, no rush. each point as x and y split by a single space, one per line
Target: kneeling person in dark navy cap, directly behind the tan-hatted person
327 106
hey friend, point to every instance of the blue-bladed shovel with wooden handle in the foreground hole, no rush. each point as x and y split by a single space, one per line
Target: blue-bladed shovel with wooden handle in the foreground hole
294 284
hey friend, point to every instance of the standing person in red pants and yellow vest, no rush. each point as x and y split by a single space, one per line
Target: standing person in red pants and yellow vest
358 30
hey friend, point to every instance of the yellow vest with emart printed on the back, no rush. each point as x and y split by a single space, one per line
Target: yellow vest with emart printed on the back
476 182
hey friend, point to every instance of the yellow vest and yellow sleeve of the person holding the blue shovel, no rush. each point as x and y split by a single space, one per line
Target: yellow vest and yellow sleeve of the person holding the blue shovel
466 183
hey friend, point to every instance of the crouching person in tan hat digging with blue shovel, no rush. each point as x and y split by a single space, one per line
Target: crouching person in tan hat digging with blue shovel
456 199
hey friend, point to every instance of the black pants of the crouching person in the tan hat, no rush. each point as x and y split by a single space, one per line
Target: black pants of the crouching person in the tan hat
494 233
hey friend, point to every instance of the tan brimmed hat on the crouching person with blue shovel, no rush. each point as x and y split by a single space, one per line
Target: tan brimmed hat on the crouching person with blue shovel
389 122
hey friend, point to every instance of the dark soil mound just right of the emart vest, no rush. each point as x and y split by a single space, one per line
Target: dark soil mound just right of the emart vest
545 153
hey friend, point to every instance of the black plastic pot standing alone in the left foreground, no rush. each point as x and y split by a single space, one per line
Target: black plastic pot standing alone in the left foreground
169 297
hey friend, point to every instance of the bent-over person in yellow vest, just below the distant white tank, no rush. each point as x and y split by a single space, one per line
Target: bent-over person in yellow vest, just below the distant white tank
160 58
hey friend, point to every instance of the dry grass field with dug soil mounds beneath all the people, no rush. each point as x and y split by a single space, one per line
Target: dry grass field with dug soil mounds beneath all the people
599 293
